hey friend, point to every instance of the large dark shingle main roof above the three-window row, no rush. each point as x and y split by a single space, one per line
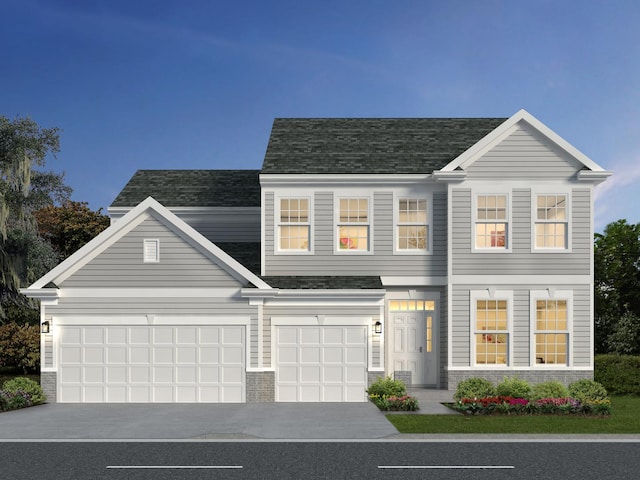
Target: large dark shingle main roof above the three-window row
370 145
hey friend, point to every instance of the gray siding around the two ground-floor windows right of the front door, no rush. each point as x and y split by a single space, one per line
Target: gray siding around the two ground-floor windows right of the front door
521 330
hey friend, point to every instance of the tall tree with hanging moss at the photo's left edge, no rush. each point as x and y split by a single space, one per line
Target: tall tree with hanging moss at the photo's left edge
24 146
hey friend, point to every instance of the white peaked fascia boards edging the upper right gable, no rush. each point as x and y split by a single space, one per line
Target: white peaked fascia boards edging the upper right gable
502 131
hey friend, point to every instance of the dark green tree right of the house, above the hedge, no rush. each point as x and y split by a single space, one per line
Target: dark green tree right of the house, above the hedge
617 280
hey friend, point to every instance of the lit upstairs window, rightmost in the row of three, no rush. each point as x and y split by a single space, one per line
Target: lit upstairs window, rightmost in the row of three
412 229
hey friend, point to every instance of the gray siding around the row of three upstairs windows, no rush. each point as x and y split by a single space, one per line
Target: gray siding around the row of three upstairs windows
325 261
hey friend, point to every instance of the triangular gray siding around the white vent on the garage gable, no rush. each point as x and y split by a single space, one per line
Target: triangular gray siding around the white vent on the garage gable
181 264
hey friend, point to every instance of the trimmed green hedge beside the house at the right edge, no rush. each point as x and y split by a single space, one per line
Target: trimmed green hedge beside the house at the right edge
619 374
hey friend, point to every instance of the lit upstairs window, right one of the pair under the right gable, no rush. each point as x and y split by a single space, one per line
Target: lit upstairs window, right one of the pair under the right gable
551 221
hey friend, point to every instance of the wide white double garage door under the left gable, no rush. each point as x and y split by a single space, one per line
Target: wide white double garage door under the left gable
164 364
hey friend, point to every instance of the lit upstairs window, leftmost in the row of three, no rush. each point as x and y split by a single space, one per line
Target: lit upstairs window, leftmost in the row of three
294 227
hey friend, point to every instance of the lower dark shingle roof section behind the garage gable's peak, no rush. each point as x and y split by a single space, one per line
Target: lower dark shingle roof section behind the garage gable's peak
193 188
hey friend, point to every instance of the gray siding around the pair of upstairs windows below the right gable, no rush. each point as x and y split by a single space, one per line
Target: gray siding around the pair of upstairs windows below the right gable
521 260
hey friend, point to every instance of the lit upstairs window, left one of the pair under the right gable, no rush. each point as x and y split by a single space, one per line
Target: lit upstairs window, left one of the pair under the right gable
491 222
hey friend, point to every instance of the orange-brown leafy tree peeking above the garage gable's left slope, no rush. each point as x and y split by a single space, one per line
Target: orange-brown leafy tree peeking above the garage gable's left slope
69 226
